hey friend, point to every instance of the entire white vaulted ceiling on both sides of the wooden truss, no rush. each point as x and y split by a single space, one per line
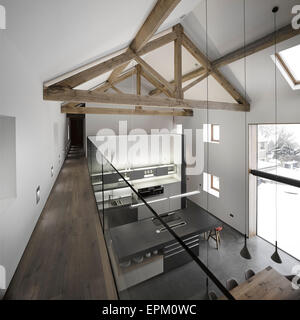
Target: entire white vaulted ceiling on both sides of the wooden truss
76 32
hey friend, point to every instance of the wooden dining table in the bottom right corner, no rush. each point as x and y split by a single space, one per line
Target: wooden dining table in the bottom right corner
266 285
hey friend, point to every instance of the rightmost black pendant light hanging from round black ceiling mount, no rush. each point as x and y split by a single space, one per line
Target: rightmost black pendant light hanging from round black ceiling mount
275 256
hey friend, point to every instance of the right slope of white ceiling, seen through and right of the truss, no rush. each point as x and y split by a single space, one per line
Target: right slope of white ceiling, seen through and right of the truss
225 33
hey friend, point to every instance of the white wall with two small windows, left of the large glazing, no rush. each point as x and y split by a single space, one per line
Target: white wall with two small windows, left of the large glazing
229 160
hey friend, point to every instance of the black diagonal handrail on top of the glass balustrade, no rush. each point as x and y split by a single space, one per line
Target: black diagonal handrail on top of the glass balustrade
182 243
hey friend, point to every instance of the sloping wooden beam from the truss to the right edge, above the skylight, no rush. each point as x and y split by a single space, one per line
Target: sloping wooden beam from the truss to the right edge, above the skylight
282 34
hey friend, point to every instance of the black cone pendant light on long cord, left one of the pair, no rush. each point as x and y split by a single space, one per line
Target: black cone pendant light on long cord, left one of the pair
245 252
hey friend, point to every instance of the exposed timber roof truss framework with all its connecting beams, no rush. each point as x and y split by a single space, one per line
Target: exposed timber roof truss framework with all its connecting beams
65 88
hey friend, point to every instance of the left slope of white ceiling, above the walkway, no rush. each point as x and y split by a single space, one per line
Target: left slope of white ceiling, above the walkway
76 32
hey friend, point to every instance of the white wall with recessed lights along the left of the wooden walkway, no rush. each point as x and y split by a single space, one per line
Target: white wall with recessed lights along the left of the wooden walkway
36 148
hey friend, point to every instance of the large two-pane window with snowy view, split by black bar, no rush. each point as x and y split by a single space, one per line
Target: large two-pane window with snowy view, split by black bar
278 153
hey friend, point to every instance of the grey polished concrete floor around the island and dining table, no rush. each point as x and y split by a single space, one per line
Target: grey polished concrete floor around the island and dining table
189 281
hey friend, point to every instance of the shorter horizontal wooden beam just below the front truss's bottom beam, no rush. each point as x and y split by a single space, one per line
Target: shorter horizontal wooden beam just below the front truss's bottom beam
92 110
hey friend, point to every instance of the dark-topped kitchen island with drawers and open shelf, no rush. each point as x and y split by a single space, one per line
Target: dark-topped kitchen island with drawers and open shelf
144 249
